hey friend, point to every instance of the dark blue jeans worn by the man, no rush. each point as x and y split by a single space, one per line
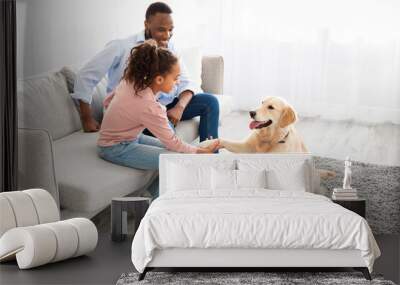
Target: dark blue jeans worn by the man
207 107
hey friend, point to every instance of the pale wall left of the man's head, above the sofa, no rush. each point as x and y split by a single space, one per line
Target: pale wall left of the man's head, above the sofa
54 33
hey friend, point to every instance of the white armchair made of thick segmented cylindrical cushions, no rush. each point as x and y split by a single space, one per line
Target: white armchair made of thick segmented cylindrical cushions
31 231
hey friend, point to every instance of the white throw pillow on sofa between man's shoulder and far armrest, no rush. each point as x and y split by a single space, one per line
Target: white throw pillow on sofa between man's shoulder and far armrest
192 60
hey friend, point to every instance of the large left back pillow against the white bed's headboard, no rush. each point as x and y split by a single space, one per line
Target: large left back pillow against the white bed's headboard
188 177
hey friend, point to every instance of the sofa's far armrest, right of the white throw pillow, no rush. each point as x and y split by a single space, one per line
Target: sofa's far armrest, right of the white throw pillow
212 74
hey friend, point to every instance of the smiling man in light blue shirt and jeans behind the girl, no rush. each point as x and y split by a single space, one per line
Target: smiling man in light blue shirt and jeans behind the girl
182 103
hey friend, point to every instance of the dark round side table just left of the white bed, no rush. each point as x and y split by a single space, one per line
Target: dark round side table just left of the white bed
120 208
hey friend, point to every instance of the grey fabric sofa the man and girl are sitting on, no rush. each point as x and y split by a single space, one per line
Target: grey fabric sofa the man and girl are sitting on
56 155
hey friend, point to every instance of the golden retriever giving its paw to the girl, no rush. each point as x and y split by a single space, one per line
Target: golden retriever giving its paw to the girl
273 131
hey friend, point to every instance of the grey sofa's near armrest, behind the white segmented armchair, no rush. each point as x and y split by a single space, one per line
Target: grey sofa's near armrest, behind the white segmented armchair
36 161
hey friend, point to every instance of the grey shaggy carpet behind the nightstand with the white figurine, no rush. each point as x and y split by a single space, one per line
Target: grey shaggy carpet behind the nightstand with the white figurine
379 184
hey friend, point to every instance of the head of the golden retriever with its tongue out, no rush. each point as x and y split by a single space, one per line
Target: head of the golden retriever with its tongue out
274 111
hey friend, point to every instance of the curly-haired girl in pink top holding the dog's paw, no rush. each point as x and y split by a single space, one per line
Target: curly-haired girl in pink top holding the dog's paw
133 106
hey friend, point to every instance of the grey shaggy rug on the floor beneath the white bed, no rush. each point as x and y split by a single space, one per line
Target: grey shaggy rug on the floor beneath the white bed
231 278
